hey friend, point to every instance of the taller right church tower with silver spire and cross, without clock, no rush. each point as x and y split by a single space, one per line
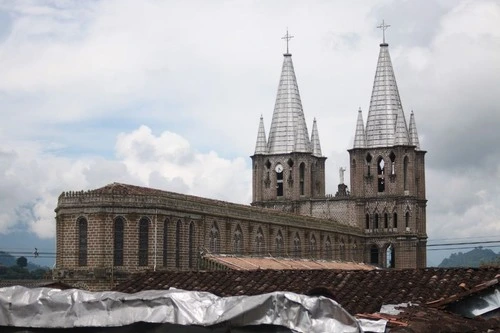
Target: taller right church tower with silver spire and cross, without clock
388 176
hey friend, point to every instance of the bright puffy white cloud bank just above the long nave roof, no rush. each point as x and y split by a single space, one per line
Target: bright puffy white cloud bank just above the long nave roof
31 179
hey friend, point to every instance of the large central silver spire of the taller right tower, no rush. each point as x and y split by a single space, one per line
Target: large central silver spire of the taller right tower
385 105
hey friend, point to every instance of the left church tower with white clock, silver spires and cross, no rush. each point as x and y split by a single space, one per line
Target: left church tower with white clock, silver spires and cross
288 166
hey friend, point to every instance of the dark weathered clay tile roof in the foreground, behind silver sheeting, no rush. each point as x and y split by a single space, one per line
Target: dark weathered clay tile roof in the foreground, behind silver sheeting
357 291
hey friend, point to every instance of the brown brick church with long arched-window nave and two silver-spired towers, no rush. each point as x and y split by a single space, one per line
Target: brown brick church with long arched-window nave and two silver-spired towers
107 233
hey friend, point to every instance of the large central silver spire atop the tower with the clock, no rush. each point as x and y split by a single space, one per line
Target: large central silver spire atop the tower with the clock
288 131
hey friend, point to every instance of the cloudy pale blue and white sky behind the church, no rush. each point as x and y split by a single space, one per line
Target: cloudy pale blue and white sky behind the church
168 94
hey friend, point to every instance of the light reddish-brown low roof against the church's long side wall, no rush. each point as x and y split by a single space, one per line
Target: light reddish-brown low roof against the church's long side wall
255 263
